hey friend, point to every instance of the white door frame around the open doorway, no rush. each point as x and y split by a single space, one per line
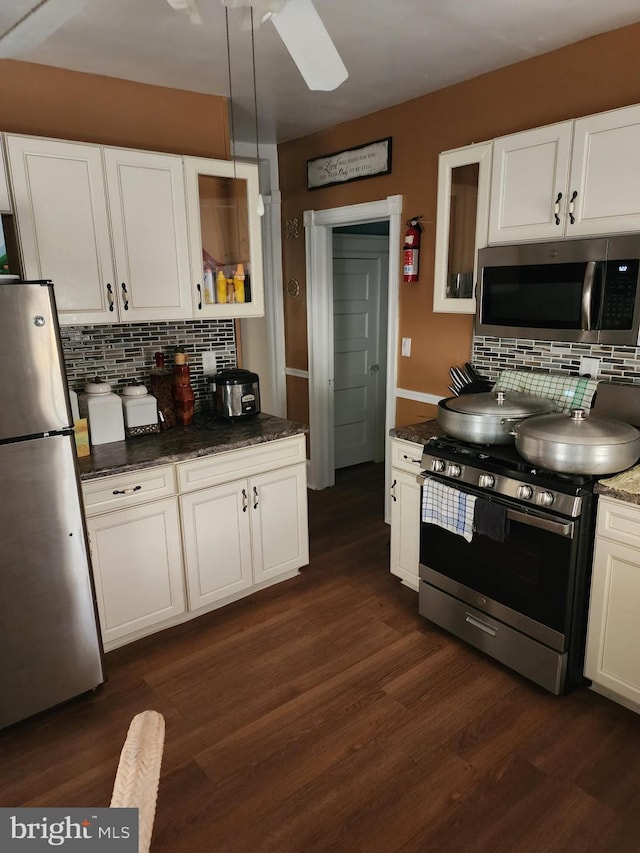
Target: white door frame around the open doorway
319 226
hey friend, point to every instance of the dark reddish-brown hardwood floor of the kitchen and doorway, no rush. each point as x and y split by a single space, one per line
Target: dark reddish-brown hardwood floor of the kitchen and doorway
325 714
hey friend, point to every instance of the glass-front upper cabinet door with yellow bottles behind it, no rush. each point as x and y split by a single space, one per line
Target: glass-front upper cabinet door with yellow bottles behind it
225 243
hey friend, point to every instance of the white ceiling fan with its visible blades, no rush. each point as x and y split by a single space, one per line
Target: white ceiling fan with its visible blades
296 21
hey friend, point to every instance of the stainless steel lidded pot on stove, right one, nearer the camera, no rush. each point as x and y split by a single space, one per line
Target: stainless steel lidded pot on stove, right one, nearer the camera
578 443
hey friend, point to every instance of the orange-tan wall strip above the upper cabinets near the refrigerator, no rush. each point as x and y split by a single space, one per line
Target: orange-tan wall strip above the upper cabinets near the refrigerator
44 101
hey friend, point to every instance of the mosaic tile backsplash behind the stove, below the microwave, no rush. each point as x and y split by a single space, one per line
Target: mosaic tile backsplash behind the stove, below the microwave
493 355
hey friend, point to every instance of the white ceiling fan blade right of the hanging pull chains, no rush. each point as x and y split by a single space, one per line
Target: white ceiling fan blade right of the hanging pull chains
310 45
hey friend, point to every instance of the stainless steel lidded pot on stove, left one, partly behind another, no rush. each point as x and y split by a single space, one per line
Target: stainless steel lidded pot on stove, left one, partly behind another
491 417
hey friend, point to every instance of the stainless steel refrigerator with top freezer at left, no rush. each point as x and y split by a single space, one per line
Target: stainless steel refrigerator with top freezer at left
50 648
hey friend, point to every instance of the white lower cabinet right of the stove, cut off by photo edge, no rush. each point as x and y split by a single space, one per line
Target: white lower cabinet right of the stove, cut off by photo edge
612 658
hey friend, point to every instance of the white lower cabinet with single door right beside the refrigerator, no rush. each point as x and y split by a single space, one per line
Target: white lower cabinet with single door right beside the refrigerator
137 565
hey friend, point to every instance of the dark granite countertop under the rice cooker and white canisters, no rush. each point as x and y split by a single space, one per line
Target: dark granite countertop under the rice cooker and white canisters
182 443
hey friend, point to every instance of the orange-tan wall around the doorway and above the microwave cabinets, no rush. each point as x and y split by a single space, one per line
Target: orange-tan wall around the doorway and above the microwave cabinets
591 76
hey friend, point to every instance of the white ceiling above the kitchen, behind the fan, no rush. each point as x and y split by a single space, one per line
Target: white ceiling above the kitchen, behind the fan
394 50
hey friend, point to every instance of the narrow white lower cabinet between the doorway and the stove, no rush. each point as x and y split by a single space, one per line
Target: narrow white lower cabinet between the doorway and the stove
405 511
